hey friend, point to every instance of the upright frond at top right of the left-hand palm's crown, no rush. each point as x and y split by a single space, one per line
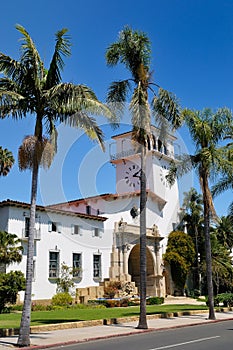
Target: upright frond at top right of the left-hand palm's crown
62 48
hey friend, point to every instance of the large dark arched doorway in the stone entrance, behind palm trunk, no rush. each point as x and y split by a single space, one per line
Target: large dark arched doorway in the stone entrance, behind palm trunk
134 267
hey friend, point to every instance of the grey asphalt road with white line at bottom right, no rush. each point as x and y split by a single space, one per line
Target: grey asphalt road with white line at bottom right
213 336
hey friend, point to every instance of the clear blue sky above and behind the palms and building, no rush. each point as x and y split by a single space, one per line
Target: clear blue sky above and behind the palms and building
192 56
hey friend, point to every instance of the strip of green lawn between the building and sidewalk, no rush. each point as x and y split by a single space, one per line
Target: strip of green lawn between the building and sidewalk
12 320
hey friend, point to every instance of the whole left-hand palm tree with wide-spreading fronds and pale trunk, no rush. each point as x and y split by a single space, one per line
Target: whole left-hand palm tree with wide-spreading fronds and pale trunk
28 88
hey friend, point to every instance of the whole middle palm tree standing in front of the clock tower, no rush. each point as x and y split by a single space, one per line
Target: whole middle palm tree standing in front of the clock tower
133 50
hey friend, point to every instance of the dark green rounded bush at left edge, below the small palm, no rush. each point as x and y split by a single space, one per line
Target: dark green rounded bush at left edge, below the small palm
10 284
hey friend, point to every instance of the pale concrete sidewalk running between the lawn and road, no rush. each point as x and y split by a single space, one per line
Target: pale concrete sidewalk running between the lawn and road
48 339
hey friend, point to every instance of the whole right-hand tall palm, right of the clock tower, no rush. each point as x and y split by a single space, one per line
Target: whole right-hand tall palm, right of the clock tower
207 130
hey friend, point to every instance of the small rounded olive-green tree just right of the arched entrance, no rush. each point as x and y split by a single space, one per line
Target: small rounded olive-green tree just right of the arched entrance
180 255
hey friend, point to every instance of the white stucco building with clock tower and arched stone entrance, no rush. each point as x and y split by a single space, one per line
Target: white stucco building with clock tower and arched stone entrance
100 234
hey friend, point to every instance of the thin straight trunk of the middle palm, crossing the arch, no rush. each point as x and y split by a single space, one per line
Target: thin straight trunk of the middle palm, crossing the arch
143 198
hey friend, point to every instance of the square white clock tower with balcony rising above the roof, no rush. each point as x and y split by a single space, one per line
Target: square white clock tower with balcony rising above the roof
128 169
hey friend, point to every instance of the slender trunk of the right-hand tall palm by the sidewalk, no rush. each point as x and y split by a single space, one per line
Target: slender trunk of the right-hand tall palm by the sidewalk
206 193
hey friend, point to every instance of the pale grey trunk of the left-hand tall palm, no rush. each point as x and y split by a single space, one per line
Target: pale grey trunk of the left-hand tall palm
24 332
